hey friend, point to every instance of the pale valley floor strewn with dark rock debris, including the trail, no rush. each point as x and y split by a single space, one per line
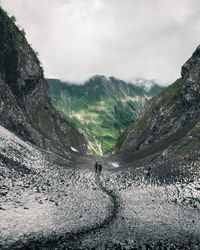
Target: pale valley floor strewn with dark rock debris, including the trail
50 202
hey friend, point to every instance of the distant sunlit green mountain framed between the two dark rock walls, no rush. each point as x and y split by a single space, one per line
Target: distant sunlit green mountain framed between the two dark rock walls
100 108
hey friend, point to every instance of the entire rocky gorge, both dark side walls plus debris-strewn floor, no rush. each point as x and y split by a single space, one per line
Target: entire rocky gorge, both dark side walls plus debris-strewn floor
148 194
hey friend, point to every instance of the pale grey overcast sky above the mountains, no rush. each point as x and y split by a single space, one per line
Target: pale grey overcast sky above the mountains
123 38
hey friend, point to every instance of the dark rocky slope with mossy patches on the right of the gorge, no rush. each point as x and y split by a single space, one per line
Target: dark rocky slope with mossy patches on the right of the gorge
170 121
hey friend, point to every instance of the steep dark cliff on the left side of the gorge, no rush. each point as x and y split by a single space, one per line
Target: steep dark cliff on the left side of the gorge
25 104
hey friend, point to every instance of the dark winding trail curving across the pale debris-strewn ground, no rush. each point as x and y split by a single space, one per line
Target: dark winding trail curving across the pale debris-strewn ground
71 240
